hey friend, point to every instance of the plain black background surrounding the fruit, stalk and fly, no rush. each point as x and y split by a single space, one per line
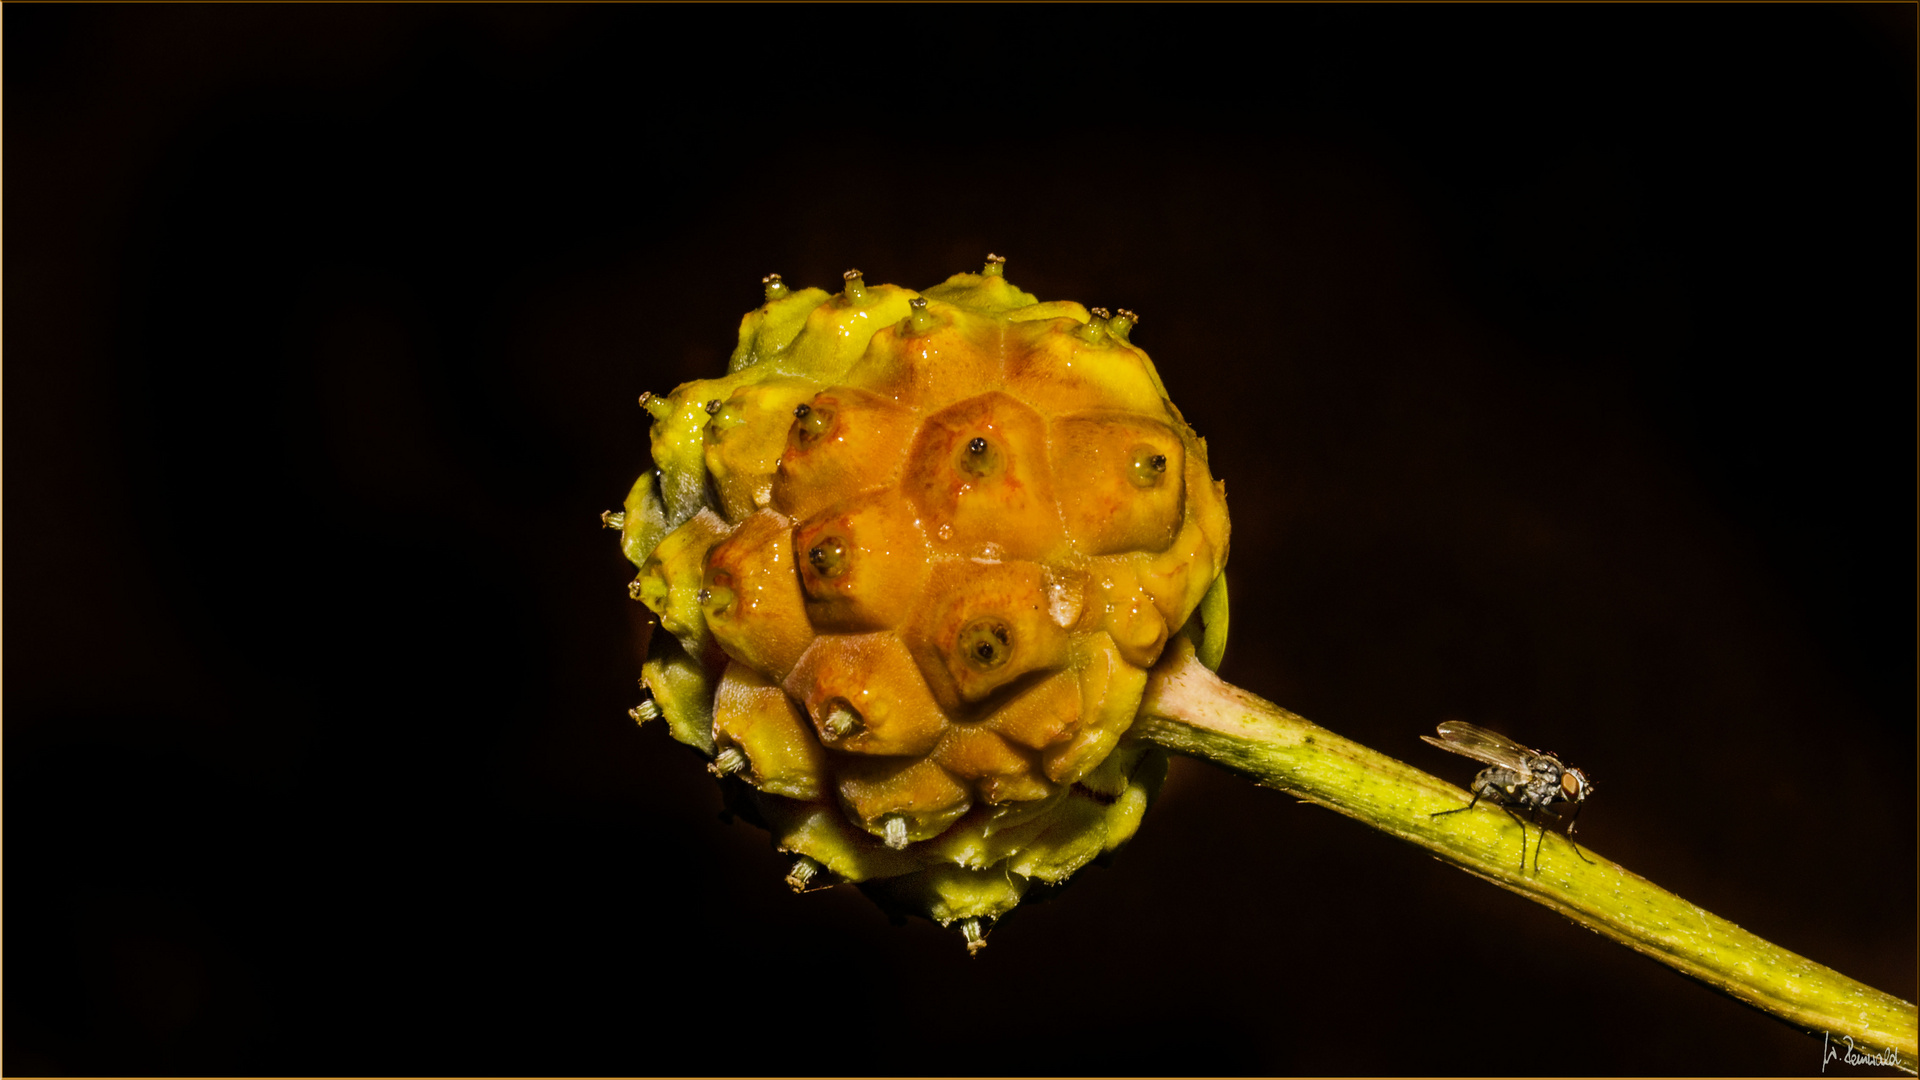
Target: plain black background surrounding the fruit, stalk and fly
1558 362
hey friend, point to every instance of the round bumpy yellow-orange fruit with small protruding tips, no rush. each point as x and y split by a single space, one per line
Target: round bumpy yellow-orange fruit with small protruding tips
915 556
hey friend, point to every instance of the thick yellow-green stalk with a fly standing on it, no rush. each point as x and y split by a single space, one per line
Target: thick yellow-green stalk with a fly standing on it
1191 712
